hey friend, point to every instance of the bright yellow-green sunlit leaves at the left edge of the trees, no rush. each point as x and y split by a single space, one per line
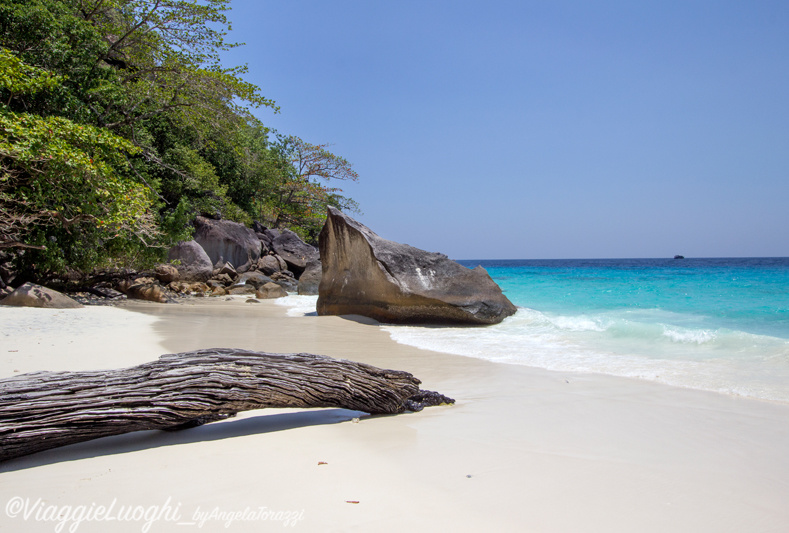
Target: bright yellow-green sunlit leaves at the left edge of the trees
57 175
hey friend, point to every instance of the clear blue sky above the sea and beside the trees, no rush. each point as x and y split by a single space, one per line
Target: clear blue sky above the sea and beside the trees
552 129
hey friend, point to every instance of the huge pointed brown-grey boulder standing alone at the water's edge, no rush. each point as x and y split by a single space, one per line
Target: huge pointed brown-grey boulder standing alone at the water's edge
366 275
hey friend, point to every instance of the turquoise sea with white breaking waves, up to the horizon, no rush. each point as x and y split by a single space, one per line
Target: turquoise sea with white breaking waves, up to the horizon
713 324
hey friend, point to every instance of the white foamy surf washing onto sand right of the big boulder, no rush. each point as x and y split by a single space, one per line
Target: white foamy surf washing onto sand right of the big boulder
723 361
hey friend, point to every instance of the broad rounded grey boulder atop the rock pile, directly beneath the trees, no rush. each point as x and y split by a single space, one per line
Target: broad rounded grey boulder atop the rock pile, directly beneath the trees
224 240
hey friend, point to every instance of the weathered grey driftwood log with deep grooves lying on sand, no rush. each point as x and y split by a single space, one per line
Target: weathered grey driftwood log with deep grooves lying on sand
43 410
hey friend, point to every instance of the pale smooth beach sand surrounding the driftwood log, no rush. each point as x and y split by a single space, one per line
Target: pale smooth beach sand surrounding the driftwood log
522 450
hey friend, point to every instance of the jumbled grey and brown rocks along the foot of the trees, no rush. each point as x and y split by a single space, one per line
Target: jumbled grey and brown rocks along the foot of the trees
225 258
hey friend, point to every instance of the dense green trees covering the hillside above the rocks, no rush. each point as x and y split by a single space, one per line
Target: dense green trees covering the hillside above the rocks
120 124
